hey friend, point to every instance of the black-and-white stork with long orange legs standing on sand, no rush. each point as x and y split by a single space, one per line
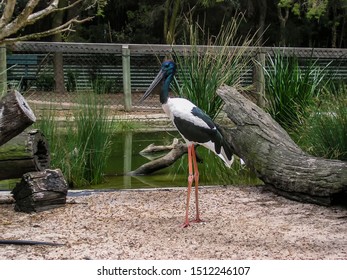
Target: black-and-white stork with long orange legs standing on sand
193 124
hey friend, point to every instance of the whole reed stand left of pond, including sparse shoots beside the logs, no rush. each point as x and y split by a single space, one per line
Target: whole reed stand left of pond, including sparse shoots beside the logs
81 149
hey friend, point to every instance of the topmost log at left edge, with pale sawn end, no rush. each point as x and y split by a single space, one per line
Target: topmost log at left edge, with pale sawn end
15 116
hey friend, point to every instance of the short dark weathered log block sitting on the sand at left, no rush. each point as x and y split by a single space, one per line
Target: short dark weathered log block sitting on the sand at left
39 191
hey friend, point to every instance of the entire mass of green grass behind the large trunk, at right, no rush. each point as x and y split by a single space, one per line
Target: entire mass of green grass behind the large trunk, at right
308 104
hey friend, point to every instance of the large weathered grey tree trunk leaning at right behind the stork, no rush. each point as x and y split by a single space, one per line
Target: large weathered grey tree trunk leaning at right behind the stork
277 160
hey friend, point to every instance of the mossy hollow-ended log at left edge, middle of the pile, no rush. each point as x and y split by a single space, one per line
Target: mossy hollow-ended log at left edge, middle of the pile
24 153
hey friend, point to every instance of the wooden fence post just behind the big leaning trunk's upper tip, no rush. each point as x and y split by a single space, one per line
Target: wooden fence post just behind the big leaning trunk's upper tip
259 79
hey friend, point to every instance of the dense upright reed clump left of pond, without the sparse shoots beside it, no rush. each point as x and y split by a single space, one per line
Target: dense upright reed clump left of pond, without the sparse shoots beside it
92 142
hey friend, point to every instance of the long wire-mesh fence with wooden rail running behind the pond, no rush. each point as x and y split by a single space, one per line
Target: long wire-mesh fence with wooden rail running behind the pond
118 72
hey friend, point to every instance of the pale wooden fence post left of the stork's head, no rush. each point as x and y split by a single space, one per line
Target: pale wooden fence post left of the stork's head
126 77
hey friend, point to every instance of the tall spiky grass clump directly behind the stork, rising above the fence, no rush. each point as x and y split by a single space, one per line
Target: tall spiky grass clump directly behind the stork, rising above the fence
201 72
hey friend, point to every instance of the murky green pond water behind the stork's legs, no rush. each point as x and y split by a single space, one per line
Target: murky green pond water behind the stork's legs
126 157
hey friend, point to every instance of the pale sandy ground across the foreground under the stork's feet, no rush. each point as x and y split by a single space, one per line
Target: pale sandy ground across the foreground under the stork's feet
240 223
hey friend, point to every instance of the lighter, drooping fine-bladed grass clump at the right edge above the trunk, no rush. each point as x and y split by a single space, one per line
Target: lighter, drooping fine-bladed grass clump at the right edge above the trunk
325 132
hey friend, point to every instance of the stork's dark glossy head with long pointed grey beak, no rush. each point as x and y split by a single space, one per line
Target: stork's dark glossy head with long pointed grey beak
166 73
